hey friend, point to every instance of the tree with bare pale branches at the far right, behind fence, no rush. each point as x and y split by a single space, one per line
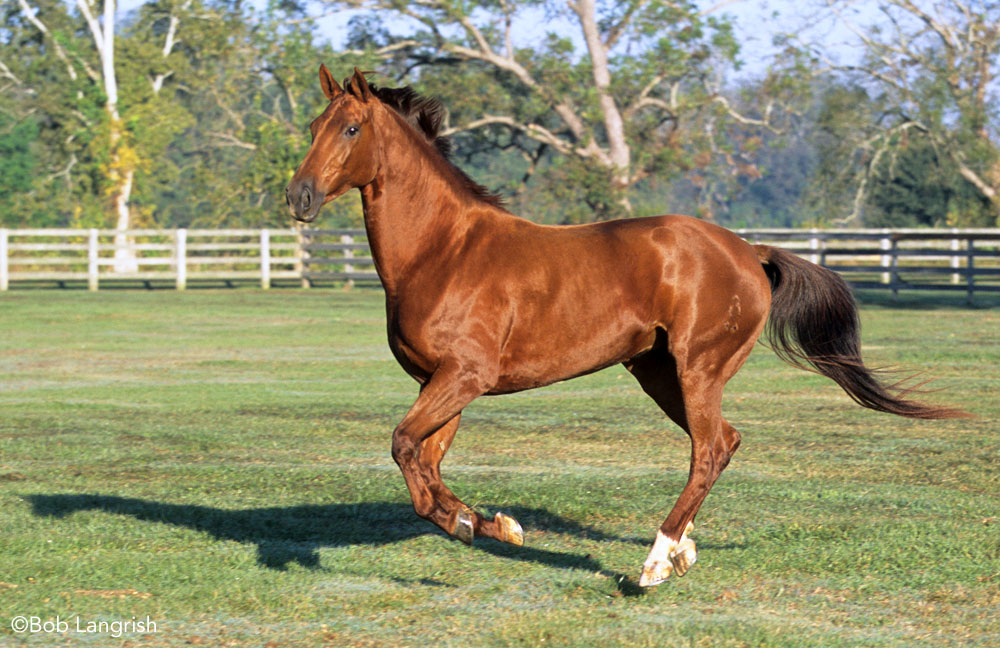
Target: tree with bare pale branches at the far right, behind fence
932 67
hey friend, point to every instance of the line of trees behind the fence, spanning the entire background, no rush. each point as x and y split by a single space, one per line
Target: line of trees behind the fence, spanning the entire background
195 112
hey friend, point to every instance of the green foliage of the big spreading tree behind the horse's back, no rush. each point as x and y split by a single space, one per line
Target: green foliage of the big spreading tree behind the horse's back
669 47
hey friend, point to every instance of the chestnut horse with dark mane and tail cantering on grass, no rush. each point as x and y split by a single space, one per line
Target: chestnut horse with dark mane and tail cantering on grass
479 301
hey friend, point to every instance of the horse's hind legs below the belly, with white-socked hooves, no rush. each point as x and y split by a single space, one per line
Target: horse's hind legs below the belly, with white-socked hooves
694 405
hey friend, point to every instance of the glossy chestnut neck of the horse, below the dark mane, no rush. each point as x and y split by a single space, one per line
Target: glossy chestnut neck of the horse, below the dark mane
414 207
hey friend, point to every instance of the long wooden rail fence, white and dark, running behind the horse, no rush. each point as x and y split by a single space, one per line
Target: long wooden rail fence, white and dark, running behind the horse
956 259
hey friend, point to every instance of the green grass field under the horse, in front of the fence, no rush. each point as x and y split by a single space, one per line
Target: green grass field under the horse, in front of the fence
218 461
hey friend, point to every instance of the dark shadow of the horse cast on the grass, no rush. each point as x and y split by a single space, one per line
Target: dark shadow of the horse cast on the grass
295 534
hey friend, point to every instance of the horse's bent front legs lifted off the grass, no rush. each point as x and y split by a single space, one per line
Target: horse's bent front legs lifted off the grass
420 442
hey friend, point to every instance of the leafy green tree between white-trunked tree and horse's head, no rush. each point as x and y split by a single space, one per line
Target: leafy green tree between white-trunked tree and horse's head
248 82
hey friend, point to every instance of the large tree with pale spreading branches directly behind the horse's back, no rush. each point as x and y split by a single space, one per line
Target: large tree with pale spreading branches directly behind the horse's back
638 94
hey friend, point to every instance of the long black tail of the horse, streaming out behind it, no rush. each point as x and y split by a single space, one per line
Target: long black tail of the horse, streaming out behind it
814 325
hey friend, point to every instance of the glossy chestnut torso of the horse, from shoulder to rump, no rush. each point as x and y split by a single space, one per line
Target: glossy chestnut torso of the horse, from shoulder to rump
542 303
